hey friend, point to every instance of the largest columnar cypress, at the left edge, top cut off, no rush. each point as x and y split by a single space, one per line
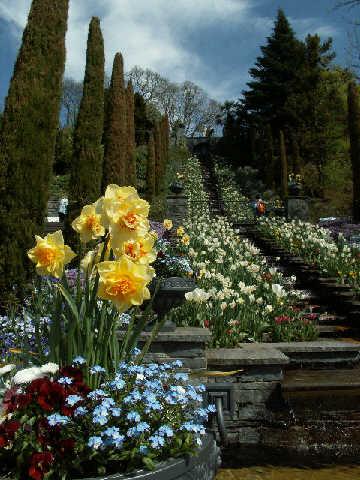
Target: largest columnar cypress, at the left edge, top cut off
27 145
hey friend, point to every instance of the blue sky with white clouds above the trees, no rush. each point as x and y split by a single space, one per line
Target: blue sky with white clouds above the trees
210 42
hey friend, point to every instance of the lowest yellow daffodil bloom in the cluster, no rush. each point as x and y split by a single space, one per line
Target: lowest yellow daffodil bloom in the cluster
124 282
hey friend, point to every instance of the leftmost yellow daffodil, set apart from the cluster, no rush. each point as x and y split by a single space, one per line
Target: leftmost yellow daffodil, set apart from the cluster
50 254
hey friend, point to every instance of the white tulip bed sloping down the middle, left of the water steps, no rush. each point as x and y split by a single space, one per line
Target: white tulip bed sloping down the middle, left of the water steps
239 296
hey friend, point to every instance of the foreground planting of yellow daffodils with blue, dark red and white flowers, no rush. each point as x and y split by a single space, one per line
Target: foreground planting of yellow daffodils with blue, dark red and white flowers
62 422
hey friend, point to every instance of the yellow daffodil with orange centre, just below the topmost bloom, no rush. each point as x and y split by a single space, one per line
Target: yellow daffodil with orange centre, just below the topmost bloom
129 221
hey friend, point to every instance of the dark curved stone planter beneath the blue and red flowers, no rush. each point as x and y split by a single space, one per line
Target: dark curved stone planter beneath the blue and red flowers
203 466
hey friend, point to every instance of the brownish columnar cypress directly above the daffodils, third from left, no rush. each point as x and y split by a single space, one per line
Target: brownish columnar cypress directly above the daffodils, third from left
116 148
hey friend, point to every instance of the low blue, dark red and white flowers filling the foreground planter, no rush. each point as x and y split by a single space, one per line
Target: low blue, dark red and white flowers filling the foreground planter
55 426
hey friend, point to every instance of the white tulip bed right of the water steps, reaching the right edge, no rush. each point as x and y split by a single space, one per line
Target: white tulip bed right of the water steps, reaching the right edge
315 245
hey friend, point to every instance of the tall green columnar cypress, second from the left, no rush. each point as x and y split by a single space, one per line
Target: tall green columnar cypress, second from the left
86 172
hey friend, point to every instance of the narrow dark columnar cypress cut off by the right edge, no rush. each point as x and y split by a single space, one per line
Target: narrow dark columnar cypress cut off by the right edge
354 132
